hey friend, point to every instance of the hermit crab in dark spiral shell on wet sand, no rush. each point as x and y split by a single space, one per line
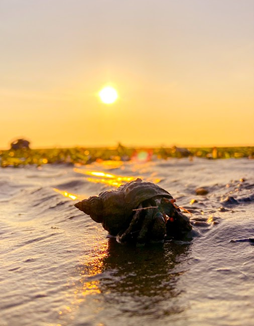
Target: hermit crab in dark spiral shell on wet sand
137 212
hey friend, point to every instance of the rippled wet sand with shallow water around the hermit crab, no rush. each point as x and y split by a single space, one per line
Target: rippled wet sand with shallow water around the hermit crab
58 267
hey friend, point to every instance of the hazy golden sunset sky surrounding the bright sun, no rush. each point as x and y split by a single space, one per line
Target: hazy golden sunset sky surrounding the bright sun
184 72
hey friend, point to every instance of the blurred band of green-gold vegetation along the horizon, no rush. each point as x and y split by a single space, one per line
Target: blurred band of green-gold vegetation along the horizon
80 155
